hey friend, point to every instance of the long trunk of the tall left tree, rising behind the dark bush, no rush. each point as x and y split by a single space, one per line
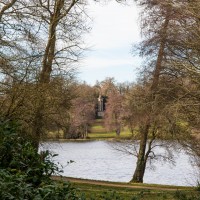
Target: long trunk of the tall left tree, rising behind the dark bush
46 71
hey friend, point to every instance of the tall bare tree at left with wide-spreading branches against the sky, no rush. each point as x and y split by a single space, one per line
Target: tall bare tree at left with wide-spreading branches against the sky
40 42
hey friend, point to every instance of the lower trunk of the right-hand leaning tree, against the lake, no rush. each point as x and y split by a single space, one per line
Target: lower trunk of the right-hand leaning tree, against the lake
141 161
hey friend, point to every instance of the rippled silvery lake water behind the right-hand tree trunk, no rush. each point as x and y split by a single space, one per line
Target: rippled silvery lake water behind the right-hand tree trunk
99 161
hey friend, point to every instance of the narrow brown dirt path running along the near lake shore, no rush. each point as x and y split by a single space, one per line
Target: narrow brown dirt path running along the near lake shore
122 185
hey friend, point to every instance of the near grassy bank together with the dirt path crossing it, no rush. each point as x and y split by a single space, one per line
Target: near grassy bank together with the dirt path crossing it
102 190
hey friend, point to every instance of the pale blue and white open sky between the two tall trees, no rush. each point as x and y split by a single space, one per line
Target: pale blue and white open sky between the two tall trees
115 28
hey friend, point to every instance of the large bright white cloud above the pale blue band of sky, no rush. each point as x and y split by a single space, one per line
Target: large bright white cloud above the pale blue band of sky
113 25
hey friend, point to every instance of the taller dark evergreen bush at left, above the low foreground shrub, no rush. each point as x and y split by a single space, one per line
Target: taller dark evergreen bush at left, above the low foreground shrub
18 155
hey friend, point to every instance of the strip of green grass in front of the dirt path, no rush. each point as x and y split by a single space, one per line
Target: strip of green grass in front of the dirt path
96 192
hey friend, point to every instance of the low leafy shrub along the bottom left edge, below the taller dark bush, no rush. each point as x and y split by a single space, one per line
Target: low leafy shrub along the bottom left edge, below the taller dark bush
15 187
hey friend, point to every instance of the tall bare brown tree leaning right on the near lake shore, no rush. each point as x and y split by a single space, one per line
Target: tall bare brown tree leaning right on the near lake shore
155 98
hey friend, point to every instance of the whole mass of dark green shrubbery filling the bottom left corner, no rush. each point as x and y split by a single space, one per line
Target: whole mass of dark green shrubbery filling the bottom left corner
25 173
